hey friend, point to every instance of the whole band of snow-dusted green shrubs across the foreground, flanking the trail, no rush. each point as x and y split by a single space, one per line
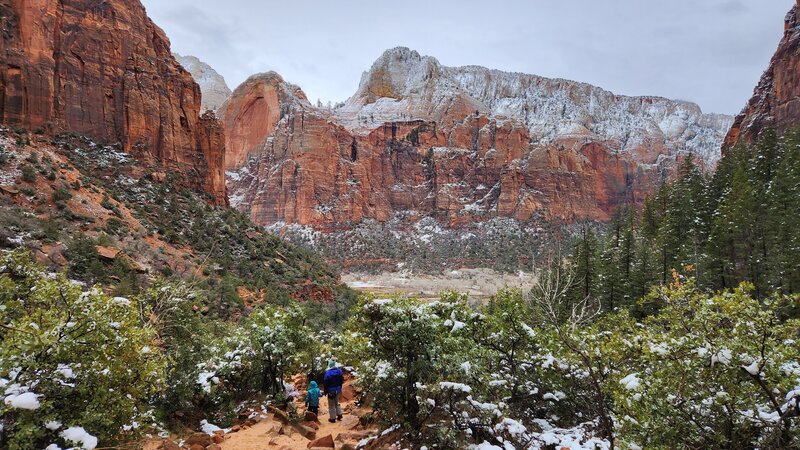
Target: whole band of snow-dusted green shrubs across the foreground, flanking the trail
527 370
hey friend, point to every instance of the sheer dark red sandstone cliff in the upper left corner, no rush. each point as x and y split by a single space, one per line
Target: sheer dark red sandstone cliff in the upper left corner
103 69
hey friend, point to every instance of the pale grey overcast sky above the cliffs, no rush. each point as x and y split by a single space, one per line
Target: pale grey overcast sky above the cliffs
708 51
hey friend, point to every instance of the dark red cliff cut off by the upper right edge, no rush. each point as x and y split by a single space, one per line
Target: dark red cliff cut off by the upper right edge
776 100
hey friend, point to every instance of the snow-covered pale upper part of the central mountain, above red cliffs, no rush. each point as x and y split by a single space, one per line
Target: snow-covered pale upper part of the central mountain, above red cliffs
402 84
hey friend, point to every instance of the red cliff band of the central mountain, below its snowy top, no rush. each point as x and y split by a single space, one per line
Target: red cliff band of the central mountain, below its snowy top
313 171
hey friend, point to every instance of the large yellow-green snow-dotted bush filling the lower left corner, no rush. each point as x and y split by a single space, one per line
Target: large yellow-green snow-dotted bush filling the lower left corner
77 367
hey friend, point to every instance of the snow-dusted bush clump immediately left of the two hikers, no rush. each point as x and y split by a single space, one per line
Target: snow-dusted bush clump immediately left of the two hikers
213 365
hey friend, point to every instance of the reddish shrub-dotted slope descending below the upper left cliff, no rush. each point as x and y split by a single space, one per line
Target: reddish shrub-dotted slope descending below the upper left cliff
55 190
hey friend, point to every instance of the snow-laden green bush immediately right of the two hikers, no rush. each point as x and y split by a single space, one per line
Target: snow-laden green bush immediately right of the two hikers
453 376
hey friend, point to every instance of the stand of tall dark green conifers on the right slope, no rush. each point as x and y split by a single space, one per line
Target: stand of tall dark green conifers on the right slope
737 225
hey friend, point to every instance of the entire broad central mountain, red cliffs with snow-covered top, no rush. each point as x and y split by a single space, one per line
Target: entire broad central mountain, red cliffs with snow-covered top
461 145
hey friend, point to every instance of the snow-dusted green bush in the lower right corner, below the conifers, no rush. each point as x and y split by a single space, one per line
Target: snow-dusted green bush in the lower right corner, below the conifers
713 371
